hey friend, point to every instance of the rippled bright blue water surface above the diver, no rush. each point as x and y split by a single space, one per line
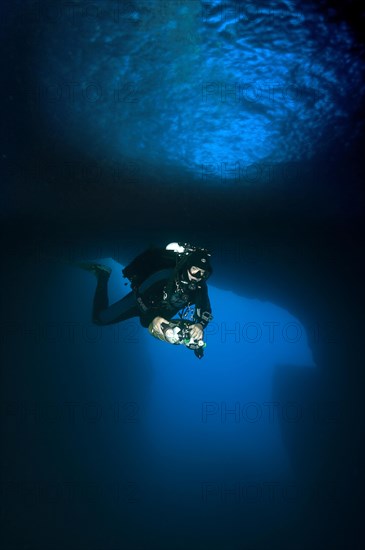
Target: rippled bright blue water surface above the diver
211 88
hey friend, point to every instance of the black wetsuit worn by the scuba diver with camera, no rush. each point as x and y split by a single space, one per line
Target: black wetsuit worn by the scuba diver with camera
158 291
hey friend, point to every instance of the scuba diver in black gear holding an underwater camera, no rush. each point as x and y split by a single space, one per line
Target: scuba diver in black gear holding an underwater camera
164 282
